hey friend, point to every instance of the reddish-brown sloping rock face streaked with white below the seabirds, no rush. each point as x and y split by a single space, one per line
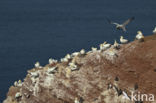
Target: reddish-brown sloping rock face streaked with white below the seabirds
108 76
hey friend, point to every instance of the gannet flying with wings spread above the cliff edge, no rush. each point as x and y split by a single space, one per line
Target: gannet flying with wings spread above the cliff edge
121 26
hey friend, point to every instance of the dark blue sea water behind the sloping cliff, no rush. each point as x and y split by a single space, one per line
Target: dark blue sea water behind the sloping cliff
35 30
